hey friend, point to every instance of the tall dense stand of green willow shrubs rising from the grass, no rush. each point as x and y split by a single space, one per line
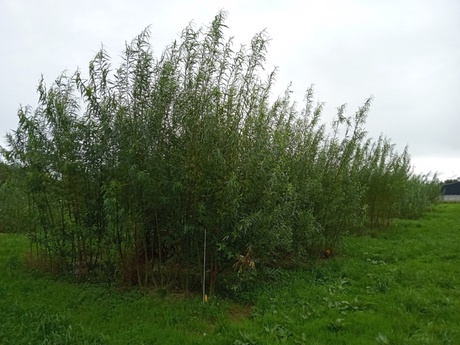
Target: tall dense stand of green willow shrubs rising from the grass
147 172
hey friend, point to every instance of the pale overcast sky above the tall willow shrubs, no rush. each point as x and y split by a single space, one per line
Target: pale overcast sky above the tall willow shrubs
405 53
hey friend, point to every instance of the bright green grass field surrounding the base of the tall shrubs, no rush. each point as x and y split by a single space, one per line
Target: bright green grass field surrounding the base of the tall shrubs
399 286
